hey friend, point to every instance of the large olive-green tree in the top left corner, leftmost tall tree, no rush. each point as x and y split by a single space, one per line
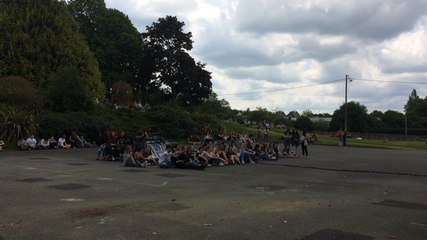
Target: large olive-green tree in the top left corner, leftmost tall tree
39 38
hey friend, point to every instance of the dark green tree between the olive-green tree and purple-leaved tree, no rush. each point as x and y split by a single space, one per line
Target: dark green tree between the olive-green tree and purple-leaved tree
114 40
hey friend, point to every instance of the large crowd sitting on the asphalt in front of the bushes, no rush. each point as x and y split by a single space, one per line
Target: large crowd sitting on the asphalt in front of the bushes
233 150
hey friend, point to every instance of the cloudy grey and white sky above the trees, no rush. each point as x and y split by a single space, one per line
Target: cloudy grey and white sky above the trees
294 54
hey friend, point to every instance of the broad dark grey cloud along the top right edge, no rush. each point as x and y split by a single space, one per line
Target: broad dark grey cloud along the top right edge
371 19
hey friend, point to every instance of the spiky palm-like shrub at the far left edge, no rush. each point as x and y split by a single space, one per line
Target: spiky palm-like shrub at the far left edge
16 122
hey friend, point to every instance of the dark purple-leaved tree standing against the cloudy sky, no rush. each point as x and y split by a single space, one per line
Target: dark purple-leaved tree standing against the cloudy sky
168 65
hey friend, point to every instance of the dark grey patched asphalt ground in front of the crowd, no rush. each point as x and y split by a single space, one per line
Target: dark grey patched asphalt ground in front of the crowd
351 193
